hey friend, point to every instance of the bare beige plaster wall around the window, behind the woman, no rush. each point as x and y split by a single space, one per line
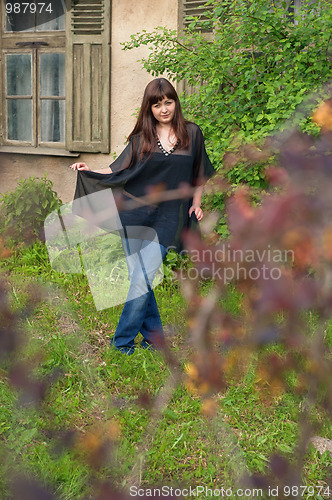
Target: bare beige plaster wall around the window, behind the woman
128 81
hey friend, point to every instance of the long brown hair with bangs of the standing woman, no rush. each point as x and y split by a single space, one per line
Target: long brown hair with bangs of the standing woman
155 91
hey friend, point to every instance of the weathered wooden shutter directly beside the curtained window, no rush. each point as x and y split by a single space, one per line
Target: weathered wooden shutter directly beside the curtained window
88 76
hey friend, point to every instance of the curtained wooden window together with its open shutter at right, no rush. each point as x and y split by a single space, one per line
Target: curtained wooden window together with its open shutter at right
55 63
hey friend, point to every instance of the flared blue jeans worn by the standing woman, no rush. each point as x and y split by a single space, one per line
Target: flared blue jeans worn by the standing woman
140 312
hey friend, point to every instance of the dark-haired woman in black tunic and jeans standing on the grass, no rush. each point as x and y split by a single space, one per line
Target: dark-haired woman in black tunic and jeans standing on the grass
164 152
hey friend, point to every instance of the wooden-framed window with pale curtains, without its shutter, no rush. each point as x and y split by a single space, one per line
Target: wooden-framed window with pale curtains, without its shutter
33 68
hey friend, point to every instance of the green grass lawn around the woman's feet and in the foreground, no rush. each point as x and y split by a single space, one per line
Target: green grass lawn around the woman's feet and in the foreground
98 393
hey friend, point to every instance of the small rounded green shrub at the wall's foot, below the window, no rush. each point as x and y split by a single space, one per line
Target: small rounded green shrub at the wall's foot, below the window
24 209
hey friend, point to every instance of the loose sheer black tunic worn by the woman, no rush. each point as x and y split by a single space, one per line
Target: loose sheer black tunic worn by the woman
189 166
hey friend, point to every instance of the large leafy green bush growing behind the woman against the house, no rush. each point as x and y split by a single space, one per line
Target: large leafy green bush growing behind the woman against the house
261 70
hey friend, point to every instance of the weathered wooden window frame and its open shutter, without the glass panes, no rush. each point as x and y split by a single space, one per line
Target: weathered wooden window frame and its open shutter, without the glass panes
87 81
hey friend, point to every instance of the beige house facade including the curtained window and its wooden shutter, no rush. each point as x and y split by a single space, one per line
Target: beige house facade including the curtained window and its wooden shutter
69 92
